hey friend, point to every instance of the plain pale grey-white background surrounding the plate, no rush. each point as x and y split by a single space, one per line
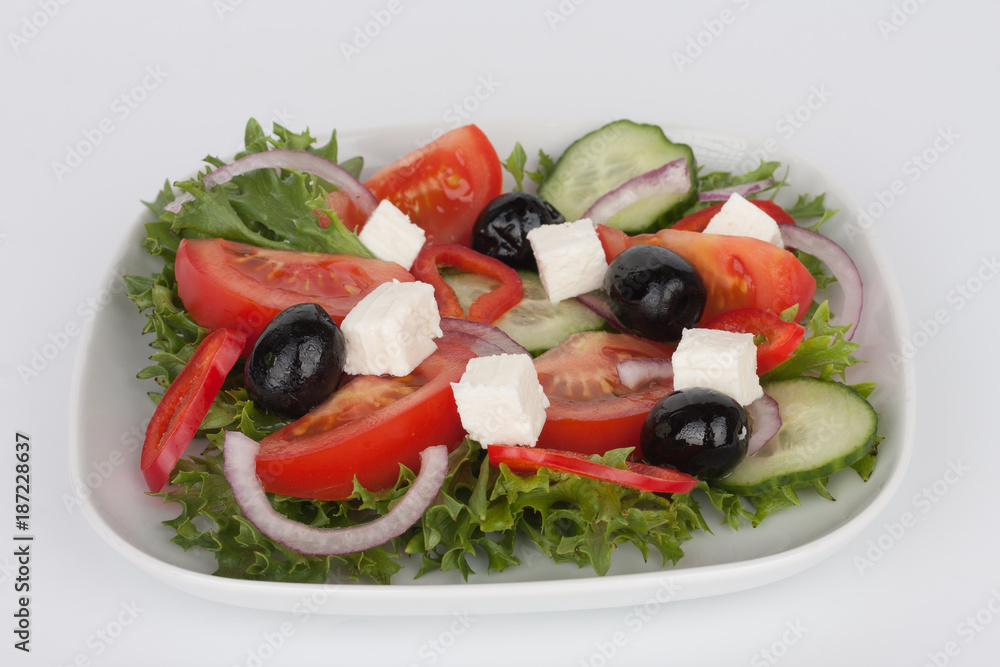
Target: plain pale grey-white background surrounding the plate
885 79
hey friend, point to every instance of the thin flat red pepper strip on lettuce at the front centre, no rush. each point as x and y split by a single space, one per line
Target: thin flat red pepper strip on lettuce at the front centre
526 460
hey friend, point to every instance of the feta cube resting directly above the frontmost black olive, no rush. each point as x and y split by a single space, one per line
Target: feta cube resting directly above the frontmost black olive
720 360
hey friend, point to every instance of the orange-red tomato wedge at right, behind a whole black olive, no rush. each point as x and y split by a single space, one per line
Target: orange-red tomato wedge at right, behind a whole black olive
739 272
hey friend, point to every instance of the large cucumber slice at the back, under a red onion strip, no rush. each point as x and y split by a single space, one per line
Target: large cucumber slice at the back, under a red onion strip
605 159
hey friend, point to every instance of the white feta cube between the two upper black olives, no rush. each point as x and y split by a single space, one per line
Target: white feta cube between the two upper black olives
570 258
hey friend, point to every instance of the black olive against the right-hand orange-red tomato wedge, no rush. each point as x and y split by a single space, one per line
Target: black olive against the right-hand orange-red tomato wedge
655 292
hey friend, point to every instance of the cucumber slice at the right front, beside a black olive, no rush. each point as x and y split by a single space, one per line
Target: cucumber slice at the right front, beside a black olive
826 426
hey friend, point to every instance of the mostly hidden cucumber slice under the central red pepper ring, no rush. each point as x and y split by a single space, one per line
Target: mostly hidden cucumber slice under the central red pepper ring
536 323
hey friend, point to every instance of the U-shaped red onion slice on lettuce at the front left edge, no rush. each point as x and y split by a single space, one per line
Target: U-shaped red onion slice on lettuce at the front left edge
240 468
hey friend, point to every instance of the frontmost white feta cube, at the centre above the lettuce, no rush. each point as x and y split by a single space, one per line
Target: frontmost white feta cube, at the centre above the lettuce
500 400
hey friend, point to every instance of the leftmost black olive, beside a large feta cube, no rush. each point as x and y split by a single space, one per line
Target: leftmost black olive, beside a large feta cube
297 361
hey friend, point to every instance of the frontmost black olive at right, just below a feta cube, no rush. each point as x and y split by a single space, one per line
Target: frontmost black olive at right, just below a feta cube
702 432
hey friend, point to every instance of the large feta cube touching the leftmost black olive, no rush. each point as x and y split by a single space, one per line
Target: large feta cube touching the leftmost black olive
391 330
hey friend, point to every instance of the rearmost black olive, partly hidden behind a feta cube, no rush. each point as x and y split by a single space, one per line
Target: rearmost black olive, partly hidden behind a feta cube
501 230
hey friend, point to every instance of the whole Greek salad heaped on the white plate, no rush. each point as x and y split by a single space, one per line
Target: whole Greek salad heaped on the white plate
620 348
